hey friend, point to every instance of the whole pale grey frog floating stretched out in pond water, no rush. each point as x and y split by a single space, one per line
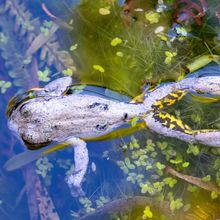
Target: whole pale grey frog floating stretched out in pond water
54 114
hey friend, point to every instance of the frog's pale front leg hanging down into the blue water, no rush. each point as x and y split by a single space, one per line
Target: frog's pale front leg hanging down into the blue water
81 160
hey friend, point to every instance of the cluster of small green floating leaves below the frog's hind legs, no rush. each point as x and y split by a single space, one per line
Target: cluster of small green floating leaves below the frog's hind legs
141 162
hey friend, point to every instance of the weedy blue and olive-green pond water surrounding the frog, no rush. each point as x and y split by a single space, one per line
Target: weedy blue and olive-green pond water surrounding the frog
121 46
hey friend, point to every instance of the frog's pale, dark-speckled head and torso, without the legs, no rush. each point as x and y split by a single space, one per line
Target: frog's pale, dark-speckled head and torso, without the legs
40 121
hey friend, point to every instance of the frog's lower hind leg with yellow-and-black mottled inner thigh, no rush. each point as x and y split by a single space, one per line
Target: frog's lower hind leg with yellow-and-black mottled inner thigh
167 125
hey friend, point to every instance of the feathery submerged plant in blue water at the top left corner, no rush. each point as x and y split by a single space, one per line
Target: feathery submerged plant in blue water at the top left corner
20 27
